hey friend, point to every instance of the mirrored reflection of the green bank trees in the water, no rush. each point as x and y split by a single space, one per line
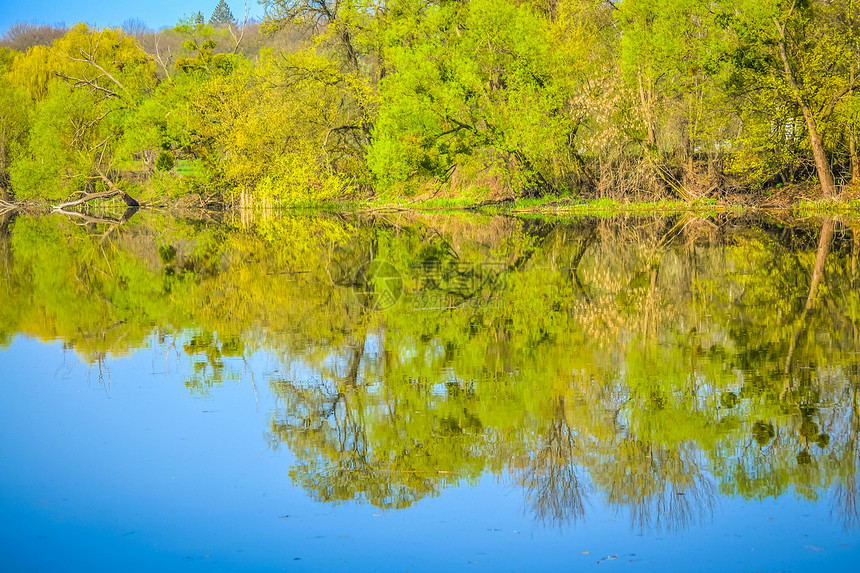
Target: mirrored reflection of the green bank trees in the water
650 363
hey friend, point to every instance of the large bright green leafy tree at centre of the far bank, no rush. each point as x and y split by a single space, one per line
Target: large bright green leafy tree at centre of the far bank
480 84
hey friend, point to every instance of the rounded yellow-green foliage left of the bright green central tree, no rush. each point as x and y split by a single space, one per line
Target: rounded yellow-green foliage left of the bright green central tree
276 126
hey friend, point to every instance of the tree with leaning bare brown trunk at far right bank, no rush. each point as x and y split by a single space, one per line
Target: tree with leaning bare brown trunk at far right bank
791 55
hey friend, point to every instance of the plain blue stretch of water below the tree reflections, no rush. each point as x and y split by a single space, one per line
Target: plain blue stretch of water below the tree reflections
132 472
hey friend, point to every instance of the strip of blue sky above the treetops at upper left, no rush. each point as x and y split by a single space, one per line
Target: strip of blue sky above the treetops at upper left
103 13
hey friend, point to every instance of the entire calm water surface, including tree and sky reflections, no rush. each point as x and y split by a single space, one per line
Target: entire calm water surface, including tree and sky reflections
429 392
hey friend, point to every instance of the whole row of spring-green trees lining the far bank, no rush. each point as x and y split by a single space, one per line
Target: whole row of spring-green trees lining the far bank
480 99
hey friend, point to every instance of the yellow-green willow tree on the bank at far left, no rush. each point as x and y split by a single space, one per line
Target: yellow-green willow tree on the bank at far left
83 87
